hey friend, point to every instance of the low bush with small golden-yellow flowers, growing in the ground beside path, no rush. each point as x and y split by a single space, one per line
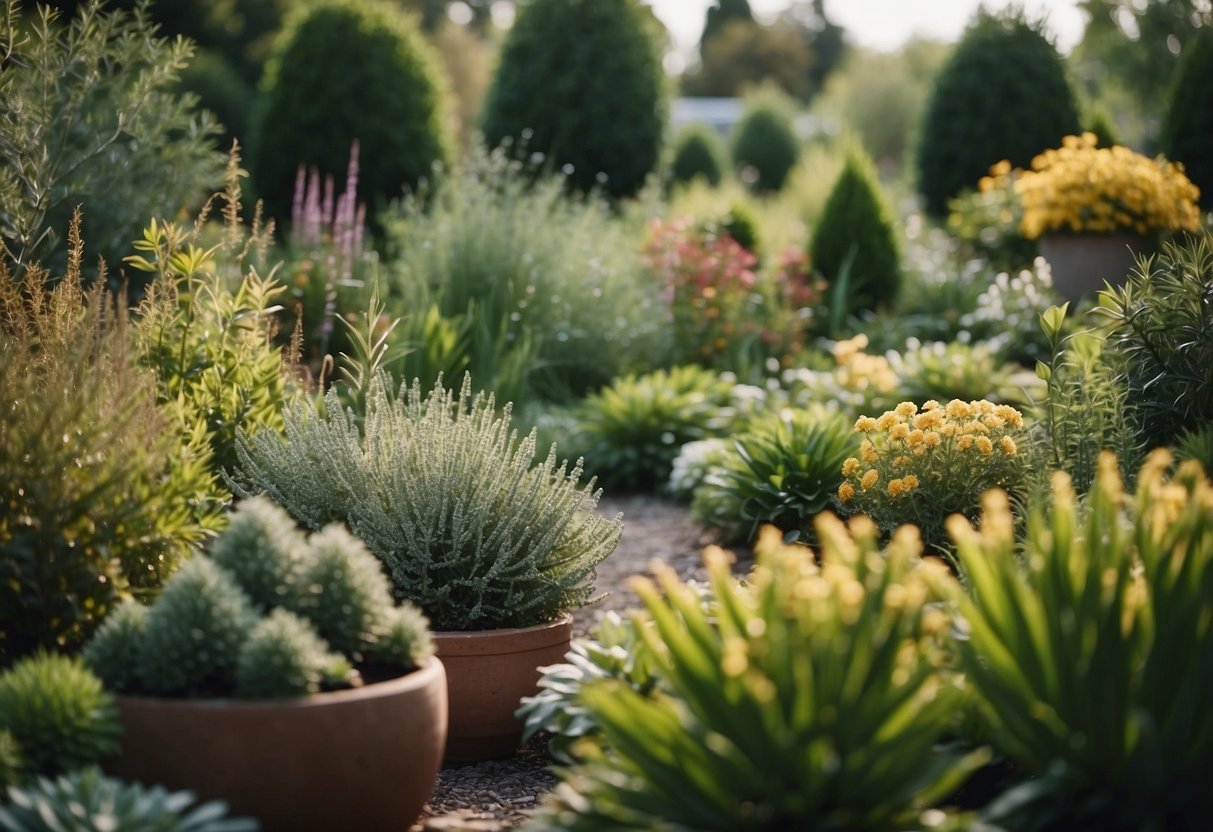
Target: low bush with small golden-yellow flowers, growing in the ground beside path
919 466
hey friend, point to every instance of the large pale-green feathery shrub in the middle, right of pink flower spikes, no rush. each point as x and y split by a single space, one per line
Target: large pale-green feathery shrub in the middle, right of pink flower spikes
536 293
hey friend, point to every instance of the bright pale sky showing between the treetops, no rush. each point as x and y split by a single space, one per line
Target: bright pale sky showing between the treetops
882 25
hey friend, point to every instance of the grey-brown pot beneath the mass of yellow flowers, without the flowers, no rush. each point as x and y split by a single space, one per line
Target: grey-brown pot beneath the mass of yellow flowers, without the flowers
1081 264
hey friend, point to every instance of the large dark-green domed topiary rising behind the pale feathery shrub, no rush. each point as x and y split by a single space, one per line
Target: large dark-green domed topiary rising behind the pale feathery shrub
582 83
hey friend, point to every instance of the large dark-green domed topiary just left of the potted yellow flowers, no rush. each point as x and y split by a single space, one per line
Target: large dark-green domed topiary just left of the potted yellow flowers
1003 95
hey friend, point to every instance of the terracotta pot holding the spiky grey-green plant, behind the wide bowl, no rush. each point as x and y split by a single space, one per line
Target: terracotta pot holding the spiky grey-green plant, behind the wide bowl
488 673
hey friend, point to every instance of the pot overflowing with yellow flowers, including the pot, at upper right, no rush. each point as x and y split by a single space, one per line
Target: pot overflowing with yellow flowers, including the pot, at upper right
1096 208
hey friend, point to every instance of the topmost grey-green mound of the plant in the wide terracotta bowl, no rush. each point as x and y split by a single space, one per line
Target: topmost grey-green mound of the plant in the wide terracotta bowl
263 549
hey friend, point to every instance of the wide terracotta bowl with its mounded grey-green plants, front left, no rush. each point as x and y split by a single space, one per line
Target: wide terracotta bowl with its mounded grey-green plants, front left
277 674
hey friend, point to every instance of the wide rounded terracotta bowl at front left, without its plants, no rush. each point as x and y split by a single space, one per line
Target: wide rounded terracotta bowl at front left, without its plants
352 760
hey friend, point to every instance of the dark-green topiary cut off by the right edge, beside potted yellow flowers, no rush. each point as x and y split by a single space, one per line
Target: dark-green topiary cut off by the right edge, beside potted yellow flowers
1188 126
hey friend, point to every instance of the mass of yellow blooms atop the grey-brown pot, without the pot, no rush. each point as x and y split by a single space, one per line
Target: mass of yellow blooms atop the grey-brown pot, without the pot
1084 189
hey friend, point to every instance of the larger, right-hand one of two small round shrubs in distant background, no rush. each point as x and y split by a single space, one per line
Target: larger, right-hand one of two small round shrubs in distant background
765 144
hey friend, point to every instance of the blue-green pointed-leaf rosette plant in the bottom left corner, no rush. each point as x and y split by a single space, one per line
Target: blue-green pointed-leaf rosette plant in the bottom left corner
87 801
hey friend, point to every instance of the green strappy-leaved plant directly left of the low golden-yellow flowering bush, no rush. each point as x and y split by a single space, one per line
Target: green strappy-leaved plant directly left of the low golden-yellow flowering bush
783 471
